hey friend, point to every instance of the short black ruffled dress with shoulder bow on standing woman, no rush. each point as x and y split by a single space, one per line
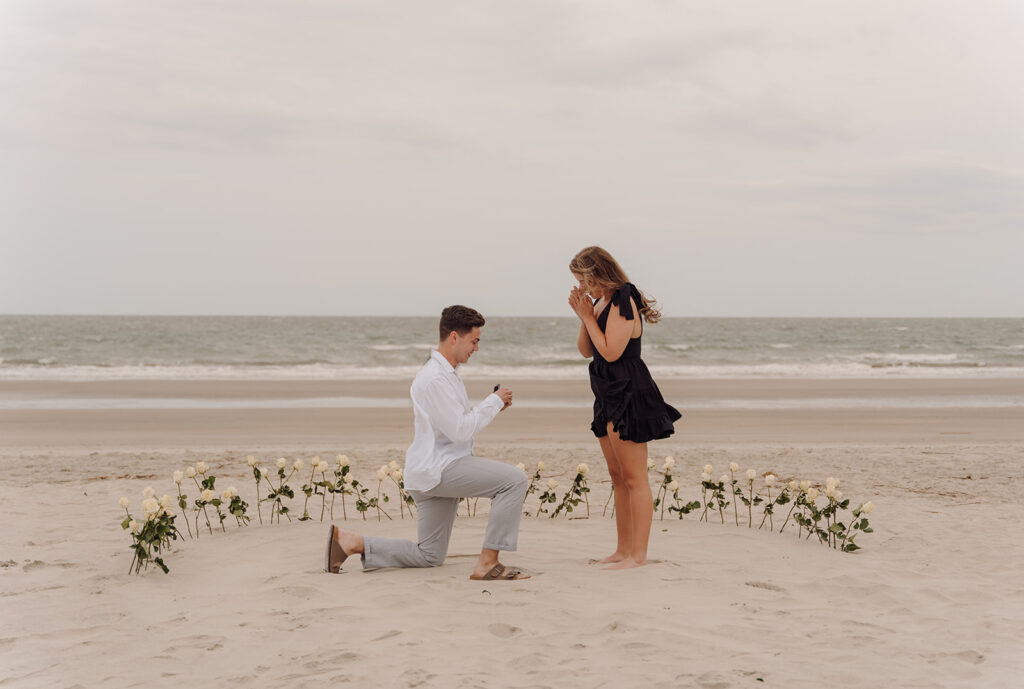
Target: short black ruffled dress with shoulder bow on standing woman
625 394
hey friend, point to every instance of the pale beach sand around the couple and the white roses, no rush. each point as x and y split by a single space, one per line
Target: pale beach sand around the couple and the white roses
935 598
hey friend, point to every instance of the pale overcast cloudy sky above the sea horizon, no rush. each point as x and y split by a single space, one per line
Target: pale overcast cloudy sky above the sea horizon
330 157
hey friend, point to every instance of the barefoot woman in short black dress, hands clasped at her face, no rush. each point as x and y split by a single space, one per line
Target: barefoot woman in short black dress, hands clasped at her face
629 410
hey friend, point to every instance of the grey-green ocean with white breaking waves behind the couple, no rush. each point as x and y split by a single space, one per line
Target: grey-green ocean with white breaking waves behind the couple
75 349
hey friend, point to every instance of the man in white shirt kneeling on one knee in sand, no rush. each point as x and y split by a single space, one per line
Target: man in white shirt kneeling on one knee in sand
441 467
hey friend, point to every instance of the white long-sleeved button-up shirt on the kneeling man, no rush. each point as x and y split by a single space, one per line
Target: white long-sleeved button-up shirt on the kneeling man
446 423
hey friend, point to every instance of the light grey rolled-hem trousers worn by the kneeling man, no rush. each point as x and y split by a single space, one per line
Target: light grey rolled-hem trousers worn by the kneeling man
466 478
